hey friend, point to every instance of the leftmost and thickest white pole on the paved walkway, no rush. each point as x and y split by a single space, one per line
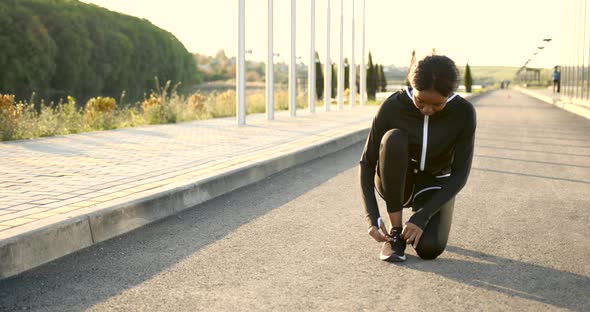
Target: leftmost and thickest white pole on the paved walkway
241 70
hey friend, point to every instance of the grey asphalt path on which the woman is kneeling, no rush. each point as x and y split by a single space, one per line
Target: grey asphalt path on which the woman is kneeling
297 241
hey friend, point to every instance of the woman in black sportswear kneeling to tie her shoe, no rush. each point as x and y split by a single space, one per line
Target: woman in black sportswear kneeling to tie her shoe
418 154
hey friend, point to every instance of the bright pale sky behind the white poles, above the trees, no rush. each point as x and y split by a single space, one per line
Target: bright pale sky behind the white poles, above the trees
491 32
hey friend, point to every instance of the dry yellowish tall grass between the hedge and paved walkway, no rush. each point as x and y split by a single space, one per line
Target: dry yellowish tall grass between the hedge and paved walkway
21 120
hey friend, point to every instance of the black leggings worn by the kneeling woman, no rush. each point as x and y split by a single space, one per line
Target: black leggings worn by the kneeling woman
397 180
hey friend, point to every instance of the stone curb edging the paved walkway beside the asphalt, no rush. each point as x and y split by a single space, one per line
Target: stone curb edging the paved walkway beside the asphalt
72 233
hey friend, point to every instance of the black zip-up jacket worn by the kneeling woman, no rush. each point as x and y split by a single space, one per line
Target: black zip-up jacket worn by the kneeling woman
441 143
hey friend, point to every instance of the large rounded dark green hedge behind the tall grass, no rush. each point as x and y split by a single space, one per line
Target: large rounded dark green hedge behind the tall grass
57 48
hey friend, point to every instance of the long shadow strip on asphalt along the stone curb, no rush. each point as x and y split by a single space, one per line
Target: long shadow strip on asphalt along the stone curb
91 276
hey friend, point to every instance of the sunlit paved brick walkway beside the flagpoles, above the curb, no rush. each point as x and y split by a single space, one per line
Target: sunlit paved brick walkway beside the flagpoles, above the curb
50 180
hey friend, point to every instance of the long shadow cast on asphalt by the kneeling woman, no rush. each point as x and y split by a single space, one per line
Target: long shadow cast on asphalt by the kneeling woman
513 278
